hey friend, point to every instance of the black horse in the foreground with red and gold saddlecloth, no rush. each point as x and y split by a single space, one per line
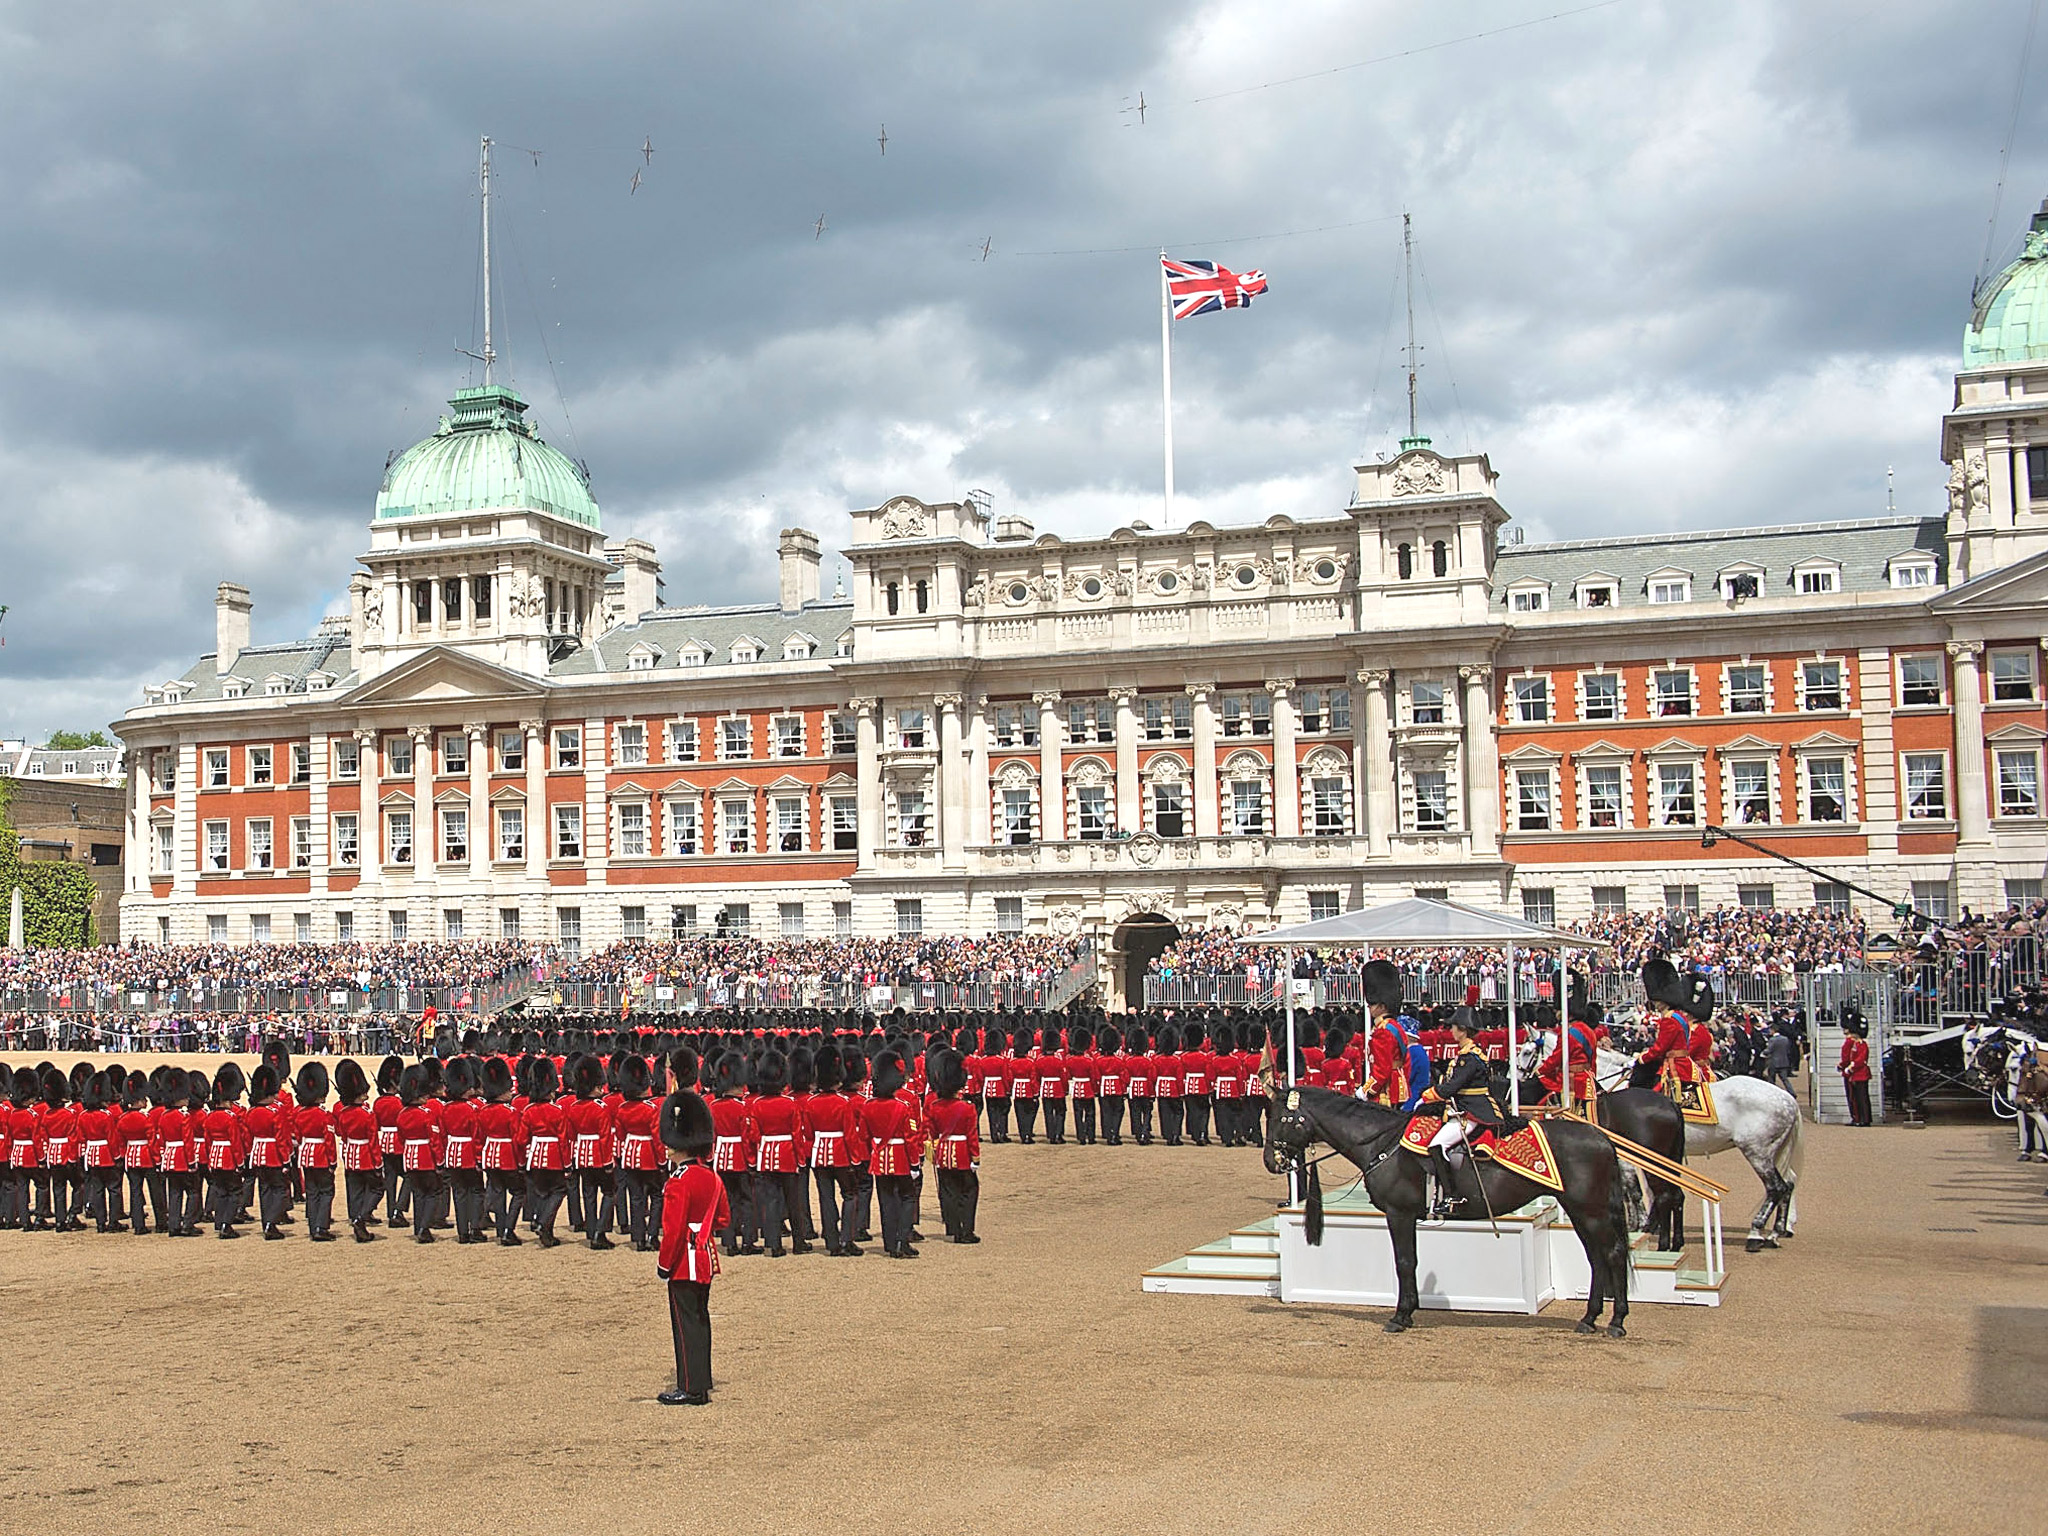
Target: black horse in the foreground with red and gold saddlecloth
1371 1138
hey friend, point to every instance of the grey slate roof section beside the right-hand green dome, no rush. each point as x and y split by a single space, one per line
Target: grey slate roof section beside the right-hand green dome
1863 550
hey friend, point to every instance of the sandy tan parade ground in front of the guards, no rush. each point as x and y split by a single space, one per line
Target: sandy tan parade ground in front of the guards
1889 1369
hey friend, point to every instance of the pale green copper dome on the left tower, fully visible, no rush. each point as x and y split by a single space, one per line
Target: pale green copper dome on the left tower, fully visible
482 458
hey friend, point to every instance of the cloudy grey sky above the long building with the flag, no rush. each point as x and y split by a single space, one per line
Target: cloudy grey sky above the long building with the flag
1678 267
